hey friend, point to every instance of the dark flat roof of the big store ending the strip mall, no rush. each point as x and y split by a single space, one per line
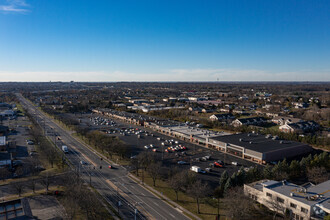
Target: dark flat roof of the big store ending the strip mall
257 142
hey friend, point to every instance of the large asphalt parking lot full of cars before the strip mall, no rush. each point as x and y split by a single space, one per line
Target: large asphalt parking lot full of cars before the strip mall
187 154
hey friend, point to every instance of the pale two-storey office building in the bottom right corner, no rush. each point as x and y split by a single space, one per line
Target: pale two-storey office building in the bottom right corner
299 202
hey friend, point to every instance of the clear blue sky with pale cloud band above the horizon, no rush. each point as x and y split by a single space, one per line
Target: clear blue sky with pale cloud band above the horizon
165 40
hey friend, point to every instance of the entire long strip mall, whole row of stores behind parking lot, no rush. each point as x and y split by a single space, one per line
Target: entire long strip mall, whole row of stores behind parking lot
255 147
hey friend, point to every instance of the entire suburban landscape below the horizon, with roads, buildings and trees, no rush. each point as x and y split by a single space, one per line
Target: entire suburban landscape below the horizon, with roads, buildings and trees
131 151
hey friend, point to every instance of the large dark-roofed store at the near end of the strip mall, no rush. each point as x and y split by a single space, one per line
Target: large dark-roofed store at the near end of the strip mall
258 148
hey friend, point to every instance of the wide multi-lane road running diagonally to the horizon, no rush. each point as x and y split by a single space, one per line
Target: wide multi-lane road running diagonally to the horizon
113 184
